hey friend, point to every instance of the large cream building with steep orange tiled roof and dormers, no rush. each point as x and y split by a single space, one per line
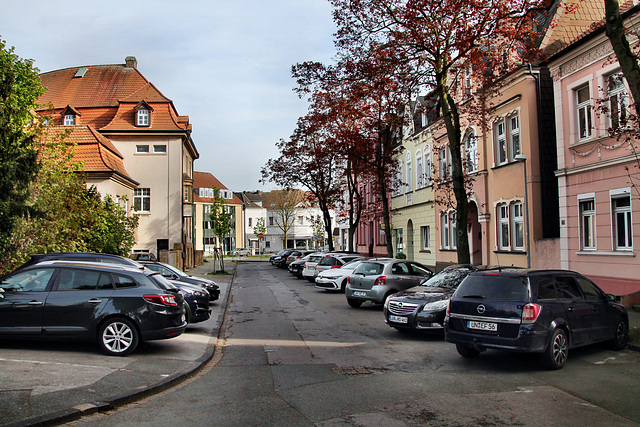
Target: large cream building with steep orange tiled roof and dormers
133 142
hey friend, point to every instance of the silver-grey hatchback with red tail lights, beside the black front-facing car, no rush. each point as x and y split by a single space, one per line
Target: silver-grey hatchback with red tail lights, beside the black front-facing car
376 280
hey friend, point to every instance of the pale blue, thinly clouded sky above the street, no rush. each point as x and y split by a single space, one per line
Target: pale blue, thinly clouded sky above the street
224 63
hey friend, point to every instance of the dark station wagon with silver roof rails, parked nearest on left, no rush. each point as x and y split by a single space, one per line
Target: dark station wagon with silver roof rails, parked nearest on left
114 306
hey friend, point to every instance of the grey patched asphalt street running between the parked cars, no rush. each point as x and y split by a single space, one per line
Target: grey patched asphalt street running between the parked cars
290 354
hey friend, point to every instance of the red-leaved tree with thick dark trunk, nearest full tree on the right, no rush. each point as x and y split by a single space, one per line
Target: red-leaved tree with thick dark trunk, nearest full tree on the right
439 41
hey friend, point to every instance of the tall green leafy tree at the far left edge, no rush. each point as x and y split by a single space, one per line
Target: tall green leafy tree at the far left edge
20 88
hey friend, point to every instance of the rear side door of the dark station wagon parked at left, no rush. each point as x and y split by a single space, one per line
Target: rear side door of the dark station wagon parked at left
76 301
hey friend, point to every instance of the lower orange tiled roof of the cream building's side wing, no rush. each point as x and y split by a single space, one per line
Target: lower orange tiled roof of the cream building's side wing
96 152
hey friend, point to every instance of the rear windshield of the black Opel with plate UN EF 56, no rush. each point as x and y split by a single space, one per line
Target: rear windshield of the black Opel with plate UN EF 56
495 288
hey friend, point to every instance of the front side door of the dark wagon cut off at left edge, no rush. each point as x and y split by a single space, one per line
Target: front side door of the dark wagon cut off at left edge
22 301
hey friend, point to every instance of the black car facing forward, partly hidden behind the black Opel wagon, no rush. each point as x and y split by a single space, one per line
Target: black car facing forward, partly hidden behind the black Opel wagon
423 307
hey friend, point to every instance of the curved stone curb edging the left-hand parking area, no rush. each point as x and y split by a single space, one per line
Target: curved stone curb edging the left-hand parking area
115 401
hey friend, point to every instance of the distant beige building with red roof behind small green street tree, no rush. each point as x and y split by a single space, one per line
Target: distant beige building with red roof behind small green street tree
204 184
